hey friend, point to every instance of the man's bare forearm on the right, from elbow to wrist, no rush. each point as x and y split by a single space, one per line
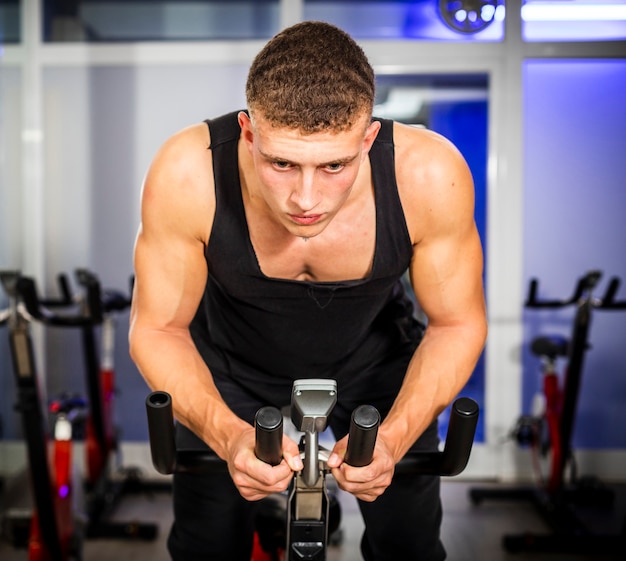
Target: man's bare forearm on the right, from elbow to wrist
438 371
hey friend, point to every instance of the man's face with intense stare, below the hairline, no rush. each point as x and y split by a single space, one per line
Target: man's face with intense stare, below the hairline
305 179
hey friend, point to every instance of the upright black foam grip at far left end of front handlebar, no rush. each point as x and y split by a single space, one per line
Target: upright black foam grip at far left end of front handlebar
161 432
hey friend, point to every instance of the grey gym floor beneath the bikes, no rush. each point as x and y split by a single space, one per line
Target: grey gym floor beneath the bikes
470 532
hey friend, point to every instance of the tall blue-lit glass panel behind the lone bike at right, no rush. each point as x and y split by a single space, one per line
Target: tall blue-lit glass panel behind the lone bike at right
574 203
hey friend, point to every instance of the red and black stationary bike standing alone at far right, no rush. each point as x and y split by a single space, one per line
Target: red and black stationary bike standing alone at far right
548 433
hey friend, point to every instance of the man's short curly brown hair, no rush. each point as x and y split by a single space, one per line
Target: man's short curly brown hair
311 76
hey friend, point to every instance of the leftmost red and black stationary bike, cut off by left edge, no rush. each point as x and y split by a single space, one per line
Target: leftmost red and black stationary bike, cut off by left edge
53 531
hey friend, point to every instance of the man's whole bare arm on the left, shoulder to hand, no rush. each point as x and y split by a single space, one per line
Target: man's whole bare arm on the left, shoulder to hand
170 277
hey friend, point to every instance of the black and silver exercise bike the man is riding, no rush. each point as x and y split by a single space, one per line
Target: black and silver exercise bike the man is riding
307 516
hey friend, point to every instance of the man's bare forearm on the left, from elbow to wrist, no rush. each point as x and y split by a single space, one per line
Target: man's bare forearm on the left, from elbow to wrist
170 362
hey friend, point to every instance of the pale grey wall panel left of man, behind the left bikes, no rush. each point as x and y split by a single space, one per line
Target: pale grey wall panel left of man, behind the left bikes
106 123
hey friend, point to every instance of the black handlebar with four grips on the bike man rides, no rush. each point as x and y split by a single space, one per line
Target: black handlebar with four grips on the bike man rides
451 461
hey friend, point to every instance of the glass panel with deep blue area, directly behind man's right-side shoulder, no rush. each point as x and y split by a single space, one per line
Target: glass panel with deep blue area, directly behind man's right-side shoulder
456 107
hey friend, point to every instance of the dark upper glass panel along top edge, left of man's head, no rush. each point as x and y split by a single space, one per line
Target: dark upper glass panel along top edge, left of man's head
158 20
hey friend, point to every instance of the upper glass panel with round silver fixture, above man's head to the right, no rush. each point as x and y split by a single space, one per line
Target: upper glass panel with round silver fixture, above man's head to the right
445 20
